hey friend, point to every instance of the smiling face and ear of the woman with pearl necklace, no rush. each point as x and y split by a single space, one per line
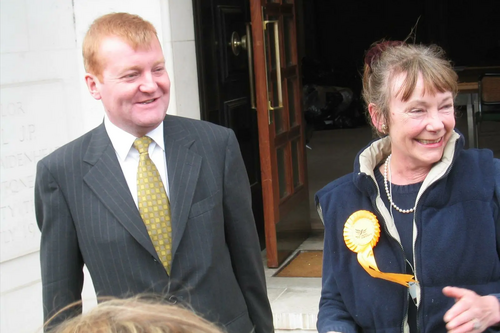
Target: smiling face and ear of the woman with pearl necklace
419 128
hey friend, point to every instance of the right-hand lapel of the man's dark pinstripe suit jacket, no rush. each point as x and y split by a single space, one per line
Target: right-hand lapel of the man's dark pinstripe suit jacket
183 167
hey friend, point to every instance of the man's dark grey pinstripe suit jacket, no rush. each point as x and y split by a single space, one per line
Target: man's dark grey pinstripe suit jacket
86 214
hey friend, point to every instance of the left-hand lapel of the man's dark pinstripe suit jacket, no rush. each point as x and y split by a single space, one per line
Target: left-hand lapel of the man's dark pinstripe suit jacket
107 182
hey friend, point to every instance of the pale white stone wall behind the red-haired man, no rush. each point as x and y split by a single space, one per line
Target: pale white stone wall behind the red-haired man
44 103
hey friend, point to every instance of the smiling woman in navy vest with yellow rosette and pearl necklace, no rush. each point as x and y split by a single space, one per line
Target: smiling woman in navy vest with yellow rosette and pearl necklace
412 236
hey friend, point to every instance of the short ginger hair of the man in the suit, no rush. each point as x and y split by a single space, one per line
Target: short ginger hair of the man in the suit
132 29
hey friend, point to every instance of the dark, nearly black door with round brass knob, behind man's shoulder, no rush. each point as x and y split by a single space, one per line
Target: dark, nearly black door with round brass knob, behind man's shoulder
224 83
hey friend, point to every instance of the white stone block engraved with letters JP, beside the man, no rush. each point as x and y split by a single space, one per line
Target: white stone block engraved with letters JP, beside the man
33 124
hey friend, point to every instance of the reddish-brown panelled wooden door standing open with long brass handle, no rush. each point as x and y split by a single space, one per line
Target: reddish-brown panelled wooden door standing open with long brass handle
281 127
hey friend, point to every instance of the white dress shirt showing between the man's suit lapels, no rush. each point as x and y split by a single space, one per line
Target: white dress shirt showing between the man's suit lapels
128 156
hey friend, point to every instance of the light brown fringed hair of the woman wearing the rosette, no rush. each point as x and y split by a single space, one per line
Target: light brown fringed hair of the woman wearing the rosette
388 59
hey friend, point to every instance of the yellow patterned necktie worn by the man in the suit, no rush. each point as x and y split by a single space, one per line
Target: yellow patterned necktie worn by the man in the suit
154 205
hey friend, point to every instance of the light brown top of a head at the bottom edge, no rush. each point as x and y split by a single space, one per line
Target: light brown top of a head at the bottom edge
136 315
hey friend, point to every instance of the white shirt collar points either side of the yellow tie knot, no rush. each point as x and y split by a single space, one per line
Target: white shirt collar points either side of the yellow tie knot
122 141
